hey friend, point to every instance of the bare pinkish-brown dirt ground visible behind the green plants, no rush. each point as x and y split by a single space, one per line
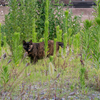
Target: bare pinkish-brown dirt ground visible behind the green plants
87 12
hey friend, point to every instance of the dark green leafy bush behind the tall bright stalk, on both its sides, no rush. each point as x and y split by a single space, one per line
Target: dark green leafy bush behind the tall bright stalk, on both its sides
55 18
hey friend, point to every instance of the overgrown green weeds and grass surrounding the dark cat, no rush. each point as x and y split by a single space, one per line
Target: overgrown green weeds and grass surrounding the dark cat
72 70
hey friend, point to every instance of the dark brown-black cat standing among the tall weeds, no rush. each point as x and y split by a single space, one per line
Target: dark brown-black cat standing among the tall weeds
36 50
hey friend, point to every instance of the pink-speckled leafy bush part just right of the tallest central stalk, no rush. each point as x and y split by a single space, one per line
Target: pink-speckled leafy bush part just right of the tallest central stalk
55 17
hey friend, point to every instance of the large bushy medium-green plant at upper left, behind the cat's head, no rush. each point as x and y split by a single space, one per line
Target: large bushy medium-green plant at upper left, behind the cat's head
20 19
